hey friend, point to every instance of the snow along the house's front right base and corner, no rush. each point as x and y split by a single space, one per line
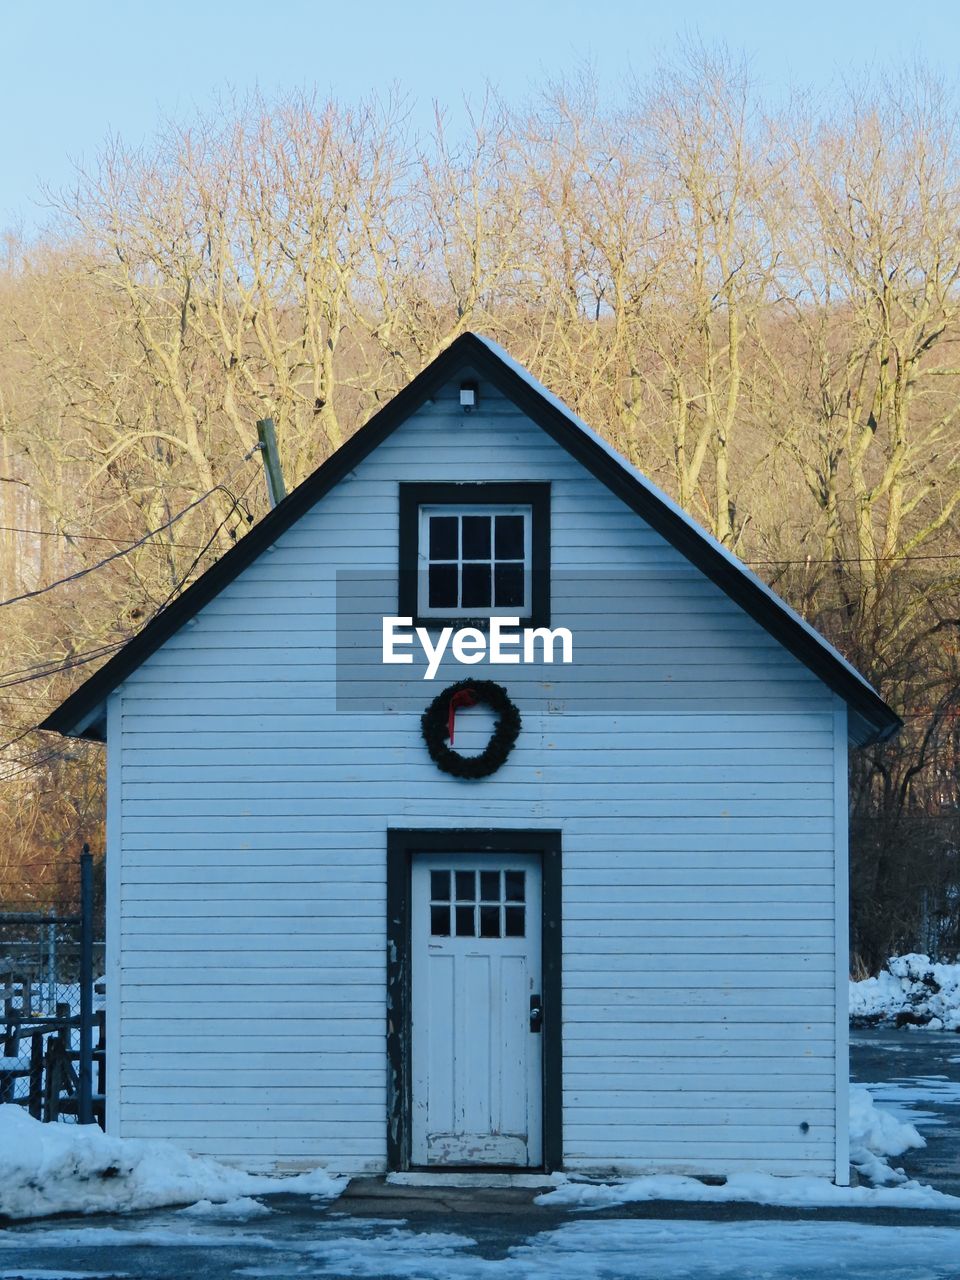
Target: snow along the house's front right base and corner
875 1135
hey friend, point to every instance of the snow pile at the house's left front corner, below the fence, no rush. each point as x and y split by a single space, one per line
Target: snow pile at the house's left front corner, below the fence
67 1169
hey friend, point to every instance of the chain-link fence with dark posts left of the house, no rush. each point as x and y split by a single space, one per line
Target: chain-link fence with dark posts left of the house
52 1031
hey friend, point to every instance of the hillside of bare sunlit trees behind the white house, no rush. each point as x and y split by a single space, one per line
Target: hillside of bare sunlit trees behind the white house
760 308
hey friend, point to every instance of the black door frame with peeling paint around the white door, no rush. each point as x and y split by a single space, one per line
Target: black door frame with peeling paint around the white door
403 844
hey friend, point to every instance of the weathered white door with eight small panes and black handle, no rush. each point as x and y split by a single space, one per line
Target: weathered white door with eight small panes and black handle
476 976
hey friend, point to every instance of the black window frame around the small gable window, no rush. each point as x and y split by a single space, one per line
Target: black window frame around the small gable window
460 499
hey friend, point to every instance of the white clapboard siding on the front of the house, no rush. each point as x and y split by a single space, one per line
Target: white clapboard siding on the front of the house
697 812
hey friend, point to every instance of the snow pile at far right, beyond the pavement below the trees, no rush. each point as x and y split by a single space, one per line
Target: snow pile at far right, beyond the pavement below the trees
911 991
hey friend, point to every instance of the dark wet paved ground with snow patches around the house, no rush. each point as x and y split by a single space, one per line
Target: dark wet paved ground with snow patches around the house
376 1231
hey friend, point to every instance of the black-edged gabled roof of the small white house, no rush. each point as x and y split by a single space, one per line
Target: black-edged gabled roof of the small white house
84 712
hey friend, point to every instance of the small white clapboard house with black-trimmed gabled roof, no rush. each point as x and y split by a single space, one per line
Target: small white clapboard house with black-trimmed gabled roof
621 948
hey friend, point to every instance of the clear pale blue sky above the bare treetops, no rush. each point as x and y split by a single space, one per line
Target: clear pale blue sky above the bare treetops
77 70
